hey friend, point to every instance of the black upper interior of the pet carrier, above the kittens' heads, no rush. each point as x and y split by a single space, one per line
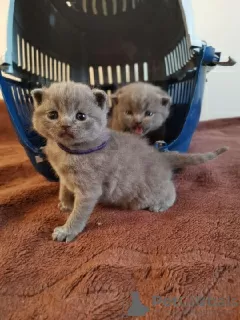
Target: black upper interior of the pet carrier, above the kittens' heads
105 43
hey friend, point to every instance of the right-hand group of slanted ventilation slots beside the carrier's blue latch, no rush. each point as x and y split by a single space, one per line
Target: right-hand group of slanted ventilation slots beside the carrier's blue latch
178 58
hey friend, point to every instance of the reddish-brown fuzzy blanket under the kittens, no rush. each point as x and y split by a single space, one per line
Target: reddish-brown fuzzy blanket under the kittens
181 264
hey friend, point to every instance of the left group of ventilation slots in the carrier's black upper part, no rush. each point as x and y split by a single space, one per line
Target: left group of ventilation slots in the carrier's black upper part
39 63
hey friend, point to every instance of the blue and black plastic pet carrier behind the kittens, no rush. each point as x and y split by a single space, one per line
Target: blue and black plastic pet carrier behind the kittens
107 44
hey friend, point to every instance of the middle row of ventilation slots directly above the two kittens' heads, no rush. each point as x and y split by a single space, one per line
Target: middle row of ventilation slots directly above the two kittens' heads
119 74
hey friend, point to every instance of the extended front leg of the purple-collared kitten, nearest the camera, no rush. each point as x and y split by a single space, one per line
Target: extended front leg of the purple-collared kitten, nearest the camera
76 222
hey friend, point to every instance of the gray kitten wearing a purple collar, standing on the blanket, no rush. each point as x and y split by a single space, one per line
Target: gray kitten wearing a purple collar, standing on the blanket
96 164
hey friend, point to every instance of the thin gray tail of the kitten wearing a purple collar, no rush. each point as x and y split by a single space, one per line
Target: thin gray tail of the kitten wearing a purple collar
182 160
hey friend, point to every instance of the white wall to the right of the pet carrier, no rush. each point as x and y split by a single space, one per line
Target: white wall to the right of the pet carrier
218 23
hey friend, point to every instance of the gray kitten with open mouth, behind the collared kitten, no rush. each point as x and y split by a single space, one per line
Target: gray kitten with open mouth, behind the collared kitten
140 108
